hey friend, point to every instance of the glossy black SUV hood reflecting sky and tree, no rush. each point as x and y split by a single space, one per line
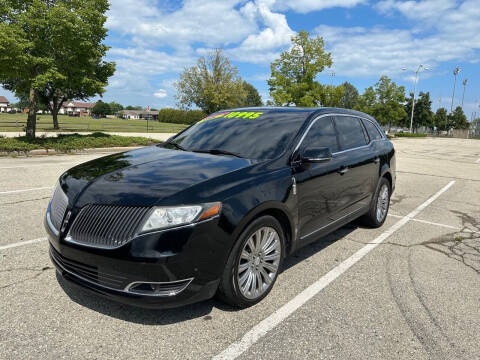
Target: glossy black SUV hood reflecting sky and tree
143 177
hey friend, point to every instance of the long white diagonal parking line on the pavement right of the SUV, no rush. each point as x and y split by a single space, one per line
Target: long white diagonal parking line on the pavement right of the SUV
261 329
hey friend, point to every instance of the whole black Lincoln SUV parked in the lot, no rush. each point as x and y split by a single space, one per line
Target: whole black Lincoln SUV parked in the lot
217 207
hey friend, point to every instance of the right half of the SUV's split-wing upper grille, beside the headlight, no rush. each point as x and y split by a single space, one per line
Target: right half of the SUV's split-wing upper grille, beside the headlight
106 226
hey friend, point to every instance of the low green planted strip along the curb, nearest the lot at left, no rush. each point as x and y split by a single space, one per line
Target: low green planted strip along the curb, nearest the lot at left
69 142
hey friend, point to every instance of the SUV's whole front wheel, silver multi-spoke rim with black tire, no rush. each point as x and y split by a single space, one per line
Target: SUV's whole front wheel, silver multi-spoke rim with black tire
254 263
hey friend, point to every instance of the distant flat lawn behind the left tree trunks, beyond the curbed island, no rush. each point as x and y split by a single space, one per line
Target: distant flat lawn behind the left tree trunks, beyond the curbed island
17 123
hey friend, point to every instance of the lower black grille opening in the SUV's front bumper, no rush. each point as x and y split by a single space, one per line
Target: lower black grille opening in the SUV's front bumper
87 272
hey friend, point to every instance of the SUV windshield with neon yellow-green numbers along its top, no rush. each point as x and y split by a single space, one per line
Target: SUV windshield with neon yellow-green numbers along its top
253 135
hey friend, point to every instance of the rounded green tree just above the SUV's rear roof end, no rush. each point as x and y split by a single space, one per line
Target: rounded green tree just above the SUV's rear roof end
384 101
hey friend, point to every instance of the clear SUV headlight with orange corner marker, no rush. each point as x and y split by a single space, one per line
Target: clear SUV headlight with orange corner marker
165 217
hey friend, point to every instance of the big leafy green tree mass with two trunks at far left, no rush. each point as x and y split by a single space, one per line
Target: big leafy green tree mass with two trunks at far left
51 51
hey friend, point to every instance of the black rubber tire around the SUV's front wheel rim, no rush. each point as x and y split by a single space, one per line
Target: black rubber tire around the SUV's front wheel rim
229 288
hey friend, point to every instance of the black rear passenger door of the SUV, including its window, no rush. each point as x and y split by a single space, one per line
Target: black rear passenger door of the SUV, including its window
359 164
